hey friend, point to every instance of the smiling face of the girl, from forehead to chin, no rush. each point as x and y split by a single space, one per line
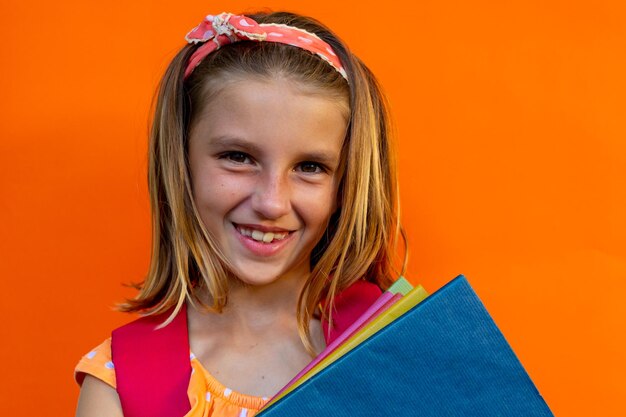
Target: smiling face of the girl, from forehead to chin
264 158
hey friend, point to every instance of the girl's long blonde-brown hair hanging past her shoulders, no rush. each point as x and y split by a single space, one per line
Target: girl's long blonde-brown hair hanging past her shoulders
360 242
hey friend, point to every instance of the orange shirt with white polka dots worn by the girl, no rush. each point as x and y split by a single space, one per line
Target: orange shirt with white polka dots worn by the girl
207 396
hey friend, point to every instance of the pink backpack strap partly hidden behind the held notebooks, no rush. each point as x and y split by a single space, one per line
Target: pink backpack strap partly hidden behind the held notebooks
349 305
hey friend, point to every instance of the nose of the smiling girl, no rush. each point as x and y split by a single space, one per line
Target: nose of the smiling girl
272 196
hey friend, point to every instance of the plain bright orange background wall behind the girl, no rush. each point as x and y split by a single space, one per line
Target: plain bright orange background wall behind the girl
513 166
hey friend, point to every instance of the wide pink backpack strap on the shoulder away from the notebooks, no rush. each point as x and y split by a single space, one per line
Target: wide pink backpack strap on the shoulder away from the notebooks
152 366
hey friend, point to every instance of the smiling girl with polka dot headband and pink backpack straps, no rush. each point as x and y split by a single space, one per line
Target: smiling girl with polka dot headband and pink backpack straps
275 216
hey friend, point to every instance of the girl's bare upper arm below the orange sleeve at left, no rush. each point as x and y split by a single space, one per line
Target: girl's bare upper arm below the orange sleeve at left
98 399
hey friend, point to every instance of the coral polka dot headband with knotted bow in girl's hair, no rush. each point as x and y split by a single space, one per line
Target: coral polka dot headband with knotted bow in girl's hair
226 28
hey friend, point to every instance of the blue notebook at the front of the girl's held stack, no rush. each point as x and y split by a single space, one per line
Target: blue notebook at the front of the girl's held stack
444 357
